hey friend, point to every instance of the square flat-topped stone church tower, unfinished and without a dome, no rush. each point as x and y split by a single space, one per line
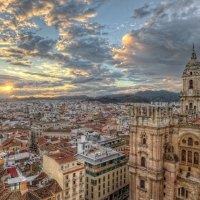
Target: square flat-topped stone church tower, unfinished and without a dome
150 129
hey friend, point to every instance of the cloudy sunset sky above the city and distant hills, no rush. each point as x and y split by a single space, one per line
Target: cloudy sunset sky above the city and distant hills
95 47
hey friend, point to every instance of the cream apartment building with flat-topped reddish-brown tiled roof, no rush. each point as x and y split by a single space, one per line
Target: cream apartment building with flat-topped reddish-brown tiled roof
69 172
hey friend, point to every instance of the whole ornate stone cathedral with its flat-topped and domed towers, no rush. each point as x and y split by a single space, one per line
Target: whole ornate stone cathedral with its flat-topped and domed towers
164 161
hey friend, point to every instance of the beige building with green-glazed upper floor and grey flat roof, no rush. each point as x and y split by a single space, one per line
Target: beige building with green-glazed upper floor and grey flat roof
106 172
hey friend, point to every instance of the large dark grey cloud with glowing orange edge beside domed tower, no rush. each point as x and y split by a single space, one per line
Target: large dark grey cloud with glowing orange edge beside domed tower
161 47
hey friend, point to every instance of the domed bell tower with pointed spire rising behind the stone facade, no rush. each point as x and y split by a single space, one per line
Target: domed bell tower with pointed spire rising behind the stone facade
190 94
